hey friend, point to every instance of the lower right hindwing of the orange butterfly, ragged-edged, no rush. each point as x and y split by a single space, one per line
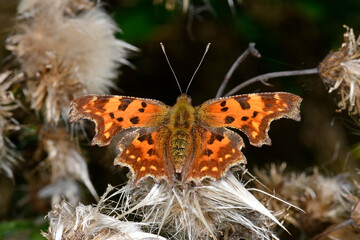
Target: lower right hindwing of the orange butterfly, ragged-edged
216 150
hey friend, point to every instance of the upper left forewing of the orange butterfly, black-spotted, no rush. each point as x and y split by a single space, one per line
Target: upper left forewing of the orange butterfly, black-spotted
112 114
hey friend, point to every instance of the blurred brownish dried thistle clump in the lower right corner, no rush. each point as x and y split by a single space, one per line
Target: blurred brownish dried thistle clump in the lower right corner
323 199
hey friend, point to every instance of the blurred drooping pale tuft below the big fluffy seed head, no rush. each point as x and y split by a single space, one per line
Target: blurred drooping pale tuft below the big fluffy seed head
66 165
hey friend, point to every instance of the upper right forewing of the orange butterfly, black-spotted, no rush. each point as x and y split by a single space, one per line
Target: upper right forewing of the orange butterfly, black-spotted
250 113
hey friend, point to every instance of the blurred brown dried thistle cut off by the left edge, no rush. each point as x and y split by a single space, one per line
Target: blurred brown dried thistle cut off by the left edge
8 156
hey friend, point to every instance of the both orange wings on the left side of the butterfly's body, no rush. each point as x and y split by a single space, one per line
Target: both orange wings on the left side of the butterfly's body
138 121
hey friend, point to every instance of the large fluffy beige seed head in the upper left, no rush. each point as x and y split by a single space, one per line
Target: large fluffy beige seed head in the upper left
65 53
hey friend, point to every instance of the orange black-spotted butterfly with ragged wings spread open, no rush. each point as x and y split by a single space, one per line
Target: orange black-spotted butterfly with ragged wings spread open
183 142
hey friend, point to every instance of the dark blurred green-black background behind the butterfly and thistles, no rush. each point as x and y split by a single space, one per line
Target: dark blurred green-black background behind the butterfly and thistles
290 35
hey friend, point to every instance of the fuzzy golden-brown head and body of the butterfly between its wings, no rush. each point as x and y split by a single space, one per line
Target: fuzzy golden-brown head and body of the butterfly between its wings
180 124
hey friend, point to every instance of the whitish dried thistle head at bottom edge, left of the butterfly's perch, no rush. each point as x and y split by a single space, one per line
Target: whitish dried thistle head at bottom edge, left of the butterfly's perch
92 222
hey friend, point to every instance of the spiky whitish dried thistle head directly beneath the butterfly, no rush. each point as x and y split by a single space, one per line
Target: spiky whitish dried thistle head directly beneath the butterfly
206 211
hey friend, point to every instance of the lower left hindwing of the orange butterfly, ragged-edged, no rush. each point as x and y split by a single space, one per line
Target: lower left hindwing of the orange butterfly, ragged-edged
146 156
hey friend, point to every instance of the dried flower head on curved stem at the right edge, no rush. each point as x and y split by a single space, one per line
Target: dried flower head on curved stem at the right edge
340 71
